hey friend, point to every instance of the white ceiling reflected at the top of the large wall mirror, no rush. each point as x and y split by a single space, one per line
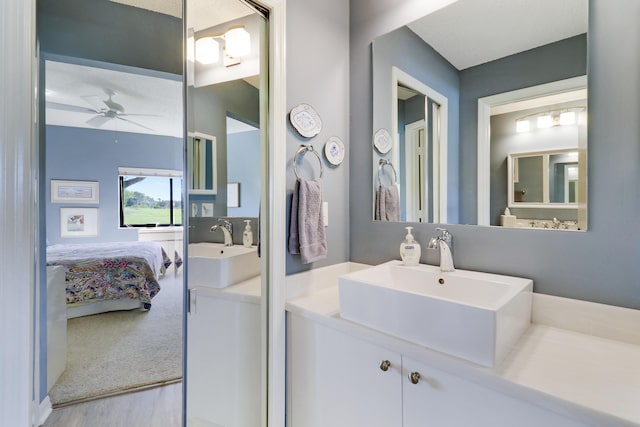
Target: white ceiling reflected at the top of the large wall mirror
472 32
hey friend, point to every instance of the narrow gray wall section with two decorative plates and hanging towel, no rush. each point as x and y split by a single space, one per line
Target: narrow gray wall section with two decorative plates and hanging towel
318 74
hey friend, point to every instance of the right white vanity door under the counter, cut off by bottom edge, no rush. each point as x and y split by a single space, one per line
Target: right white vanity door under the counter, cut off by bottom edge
442 399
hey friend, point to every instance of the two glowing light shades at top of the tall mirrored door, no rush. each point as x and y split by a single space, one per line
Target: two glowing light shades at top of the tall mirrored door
237 43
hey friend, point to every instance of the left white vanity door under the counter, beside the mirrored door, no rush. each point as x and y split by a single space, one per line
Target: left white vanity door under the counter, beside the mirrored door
335 379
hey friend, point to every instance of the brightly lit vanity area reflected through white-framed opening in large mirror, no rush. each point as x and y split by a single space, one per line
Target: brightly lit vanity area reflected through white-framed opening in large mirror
538 154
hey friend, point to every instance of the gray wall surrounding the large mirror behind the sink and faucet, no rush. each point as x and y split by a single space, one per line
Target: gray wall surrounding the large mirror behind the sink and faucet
598 265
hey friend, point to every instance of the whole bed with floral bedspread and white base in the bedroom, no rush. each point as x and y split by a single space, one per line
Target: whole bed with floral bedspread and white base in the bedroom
101 277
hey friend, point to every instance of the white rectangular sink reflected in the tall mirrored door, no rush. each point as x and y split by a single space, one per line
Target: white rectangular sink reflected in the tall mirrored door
217 266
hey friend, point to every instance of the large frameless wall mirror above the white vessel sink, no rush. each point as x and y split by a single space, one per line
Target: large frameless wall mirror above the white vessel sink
464 53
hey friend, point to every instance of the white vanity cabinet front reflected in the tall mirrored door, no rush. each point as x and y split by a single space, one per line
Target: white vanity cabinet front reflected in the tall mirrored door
223 361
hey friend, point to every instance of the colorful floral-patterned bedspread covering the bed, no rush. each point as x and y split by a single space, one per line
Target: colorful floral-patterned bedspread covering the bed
107 277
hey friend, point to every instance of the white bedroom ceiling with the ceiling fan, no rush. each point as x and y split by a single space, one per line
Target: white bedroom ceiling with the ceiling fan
75 94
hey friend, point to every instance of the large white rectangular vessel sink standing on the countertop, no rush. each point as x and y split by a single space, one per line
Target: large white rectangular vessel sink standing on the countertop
472 315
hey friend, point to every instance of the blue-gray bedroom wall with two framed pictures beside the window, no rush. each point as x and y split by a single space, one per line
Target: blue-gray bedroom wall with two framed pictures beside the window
93 155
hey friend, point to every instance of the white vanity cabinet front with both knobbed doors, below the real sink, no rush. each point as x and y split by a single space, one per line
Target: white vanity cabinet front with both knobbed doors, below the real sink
334 379
